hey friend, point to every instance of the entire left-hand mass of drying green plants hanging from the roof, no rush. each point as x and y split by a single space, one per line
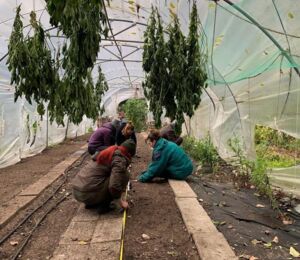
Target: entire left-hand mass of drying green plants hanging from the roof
35 73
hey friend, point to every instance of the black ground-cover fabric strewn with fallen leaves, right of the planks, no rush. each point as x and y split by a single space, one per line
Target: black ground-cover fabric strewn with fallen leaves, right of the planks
247 220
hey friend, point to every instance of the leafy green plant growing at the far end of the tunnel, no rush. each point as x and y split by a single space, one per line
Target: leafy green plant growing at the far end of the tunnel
136 111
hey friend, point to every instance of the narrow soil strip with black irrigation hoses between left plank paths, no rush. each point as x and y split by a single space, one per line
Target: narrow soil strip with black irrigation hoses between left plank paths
46 236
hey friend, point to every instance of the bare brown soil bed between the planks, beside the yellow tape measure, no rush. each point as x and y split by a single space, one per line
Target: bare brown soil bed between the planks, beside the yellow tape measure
155 214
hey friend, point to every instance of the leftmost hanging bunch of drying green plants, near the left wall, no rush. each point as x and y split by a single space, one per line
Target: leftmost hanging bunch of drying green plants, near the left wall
30 63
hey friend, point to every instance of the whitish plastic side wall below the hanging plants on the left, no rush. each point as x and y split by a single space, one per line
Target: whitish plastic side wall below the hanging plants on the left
24 133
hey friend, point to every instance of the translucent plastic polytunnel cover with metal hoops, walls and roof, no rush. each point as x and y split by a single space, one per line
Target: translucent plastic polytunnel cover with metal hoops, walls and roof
252 64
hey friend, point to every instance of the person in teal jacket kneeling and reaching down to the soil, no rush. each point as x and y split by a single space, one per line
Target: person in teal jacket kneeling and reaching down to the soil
168 160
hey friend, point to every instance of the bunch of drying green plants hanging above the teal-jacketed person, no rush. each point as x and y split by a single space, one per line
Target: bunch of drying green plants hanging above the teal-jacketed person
175 70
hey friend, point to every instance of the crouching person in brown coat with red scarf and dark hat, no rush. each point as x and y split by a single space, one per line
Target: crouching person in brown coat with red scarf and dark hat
105 179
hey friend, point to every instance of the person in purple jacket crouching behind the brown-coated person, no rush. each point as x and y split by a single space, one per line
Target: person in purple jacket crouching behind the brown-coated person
103 137
